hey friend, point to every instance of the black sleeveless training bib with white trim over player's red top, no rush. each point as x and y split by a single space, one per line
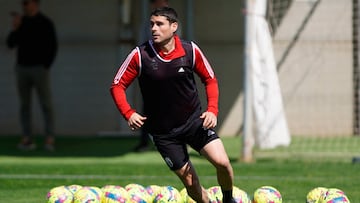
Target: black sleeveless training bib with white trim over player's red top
168 88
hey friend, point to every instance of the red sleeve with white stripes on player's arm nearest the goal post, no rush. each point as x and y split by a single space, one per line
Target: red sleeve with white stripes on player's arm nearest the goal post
207 76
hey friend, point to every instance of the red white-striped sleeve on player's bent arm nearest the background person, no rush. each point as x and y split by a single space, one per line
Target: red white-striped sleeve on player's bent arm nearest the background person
126 74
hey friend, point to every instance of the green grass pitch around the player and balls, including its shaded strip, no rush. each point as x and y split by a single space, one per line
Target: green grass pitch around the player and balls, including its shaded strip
98 161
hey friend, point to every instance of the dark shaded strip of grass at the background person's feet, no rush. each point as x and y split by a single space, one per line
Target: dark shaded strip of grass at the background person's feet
72 146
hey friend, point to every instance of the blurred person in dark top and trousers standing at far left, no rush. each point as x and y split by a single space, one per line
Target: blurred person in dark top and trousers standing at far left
34 36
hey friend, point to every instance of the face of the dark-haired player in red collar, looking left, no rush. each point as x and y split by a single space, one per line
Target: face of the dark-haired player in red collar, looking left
161 29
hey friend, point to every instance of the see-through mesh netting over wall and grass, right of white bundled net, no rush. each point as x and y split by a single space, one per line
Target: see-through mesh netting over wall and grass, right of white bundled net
316 47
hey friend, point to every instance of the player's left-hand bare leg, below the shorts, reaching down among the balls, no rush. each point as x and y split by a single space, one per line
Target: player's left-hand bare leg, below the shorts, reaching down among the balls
190 179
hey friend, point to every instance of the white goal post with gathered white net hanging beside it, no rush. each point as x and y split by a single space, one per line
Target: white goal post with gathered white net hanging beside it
264 119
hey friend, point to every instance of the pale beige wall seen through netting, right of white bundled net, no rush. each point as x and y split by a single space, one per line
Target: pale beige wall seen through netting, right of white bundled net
313 44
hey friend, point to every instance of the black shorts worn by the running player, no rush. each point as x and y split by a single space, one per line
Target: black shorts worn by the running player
172 146
